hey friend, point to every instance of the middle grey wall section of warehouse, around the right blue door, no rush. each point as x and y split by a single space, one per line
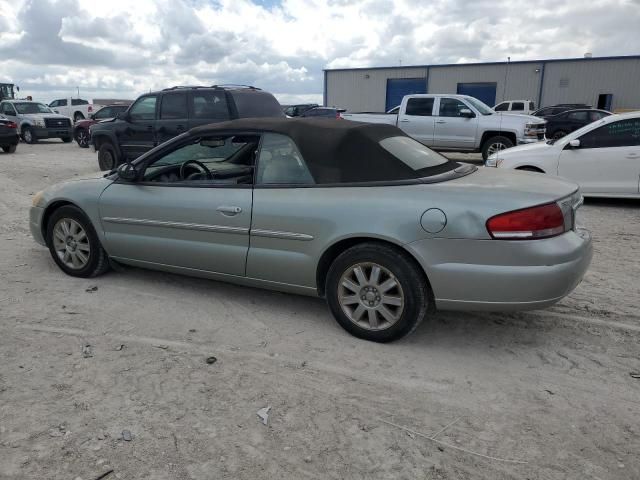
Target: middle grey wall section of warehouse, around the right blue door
522 80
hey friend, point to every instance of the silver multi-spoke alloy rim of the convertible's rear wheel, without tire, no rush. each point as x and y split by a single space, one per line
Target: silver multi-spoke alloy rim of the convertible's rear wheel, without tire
371 296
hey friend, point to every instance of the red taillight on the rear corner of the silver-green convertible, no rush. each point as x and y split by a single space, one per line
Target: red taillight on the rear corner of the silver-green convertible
543 221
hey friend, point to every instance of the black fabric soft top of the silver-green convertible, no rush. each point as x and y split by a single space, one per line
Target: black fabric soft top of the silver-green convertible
336 151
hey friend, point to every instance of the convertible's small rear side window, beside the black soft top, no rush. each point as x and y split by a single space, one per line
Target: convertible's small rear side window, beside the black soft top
280 162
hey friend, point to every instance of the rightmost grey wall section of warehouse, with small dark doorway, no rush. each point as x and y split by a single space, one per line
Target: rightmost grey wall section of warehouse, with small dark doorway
582 82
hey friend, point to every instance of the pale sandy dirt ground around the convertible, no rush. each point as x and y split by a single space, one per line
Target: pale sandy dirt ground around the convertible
540 395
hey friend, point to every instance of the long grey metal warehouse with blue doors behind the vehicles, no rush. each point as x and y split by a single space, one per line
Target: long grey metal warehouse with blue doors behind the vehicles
612 83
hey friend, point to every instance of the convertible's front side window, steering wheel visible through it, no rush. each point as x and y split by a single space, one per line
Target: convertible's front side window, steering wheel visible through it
229 159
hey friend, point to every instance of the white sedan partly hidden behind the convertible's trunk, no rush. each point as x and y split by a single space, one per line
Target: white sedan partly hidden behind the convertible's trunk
602 157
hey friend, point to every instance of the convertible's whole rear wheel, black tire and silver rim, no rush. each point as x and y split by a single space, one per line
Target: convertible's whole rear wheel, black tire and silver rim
377 292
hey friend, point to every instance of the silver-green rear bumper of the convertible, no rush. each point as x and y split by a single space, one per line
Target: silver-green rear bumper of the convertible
501 274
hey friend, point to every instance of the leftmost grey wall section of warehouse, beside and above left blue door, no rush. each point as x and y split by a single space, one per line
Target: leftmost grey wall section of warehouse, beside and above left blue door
351 89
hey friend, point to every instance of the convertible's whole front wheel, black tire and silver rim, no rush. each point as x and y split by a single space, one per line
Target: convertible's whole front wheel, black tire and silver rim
74 244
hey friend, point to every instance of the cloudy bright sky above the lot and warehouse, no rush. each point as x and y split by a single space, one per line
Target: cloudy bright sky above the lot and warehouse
122 48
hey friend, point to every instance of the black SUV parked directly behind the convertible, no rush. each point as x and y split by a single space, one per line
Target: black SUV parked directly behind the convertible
157 117
